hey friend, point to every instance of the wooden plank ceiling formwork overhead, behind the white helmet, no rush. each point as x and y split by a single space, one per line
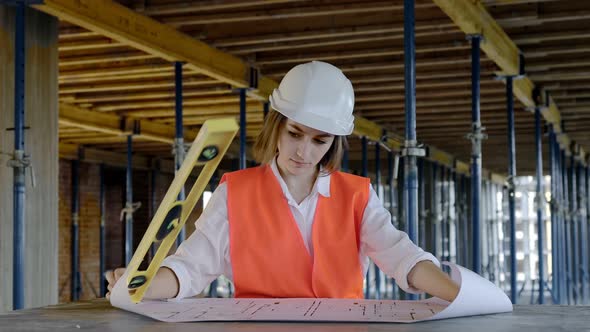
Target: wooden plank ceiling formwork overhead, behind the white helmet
118 76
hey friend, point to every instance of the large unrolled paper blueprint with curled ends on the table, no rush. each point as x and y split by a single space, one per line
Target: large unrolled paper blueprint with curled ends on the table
477 296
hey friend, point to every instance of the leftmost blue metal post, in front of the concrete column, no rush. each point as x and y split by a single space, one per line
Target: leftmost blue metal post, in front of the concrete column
18 272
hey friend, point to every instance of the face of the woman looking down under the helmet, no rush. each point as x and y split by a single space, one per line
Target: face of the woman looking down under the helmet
301 148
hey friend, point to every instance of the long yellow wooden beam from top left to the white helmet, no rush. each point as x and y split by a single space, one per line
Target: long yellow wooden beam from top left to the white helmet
139 31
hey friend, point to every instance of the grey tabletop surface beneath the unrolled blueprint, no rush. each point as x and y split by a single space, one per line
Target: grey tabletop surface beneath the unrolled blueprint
98 315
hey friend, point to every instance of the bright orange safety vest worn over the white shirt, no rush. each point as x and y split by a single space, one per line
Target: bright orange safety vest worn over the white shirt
268 255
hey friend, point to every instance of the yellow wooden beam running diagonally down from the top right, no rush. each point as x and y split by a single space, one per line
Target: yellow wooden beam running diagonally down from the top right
472 18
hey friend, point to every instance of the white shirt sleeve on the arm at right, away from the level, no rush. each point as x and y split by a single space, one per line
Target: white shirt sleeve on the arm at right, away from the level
391 249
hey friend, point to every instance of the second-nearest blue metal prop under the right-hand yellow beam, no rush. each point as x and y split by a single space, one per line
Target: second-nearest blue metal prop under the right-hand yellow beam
511 176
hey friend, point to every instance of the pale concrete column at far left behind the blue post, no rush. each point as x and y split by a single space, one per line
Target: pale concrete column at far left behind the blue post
41 144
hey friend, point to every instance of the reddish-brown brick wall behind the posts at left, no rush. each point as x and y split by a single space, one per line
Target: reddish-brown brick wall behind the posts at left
89 220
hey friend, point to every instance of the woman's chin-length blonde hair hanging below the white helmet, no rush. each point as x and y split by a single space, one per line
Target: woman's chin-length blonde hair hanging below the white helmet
266 144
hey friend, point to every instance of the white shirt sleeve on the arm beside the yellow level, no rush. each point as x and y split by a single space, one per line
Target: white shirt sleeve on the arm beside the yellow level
203 257
